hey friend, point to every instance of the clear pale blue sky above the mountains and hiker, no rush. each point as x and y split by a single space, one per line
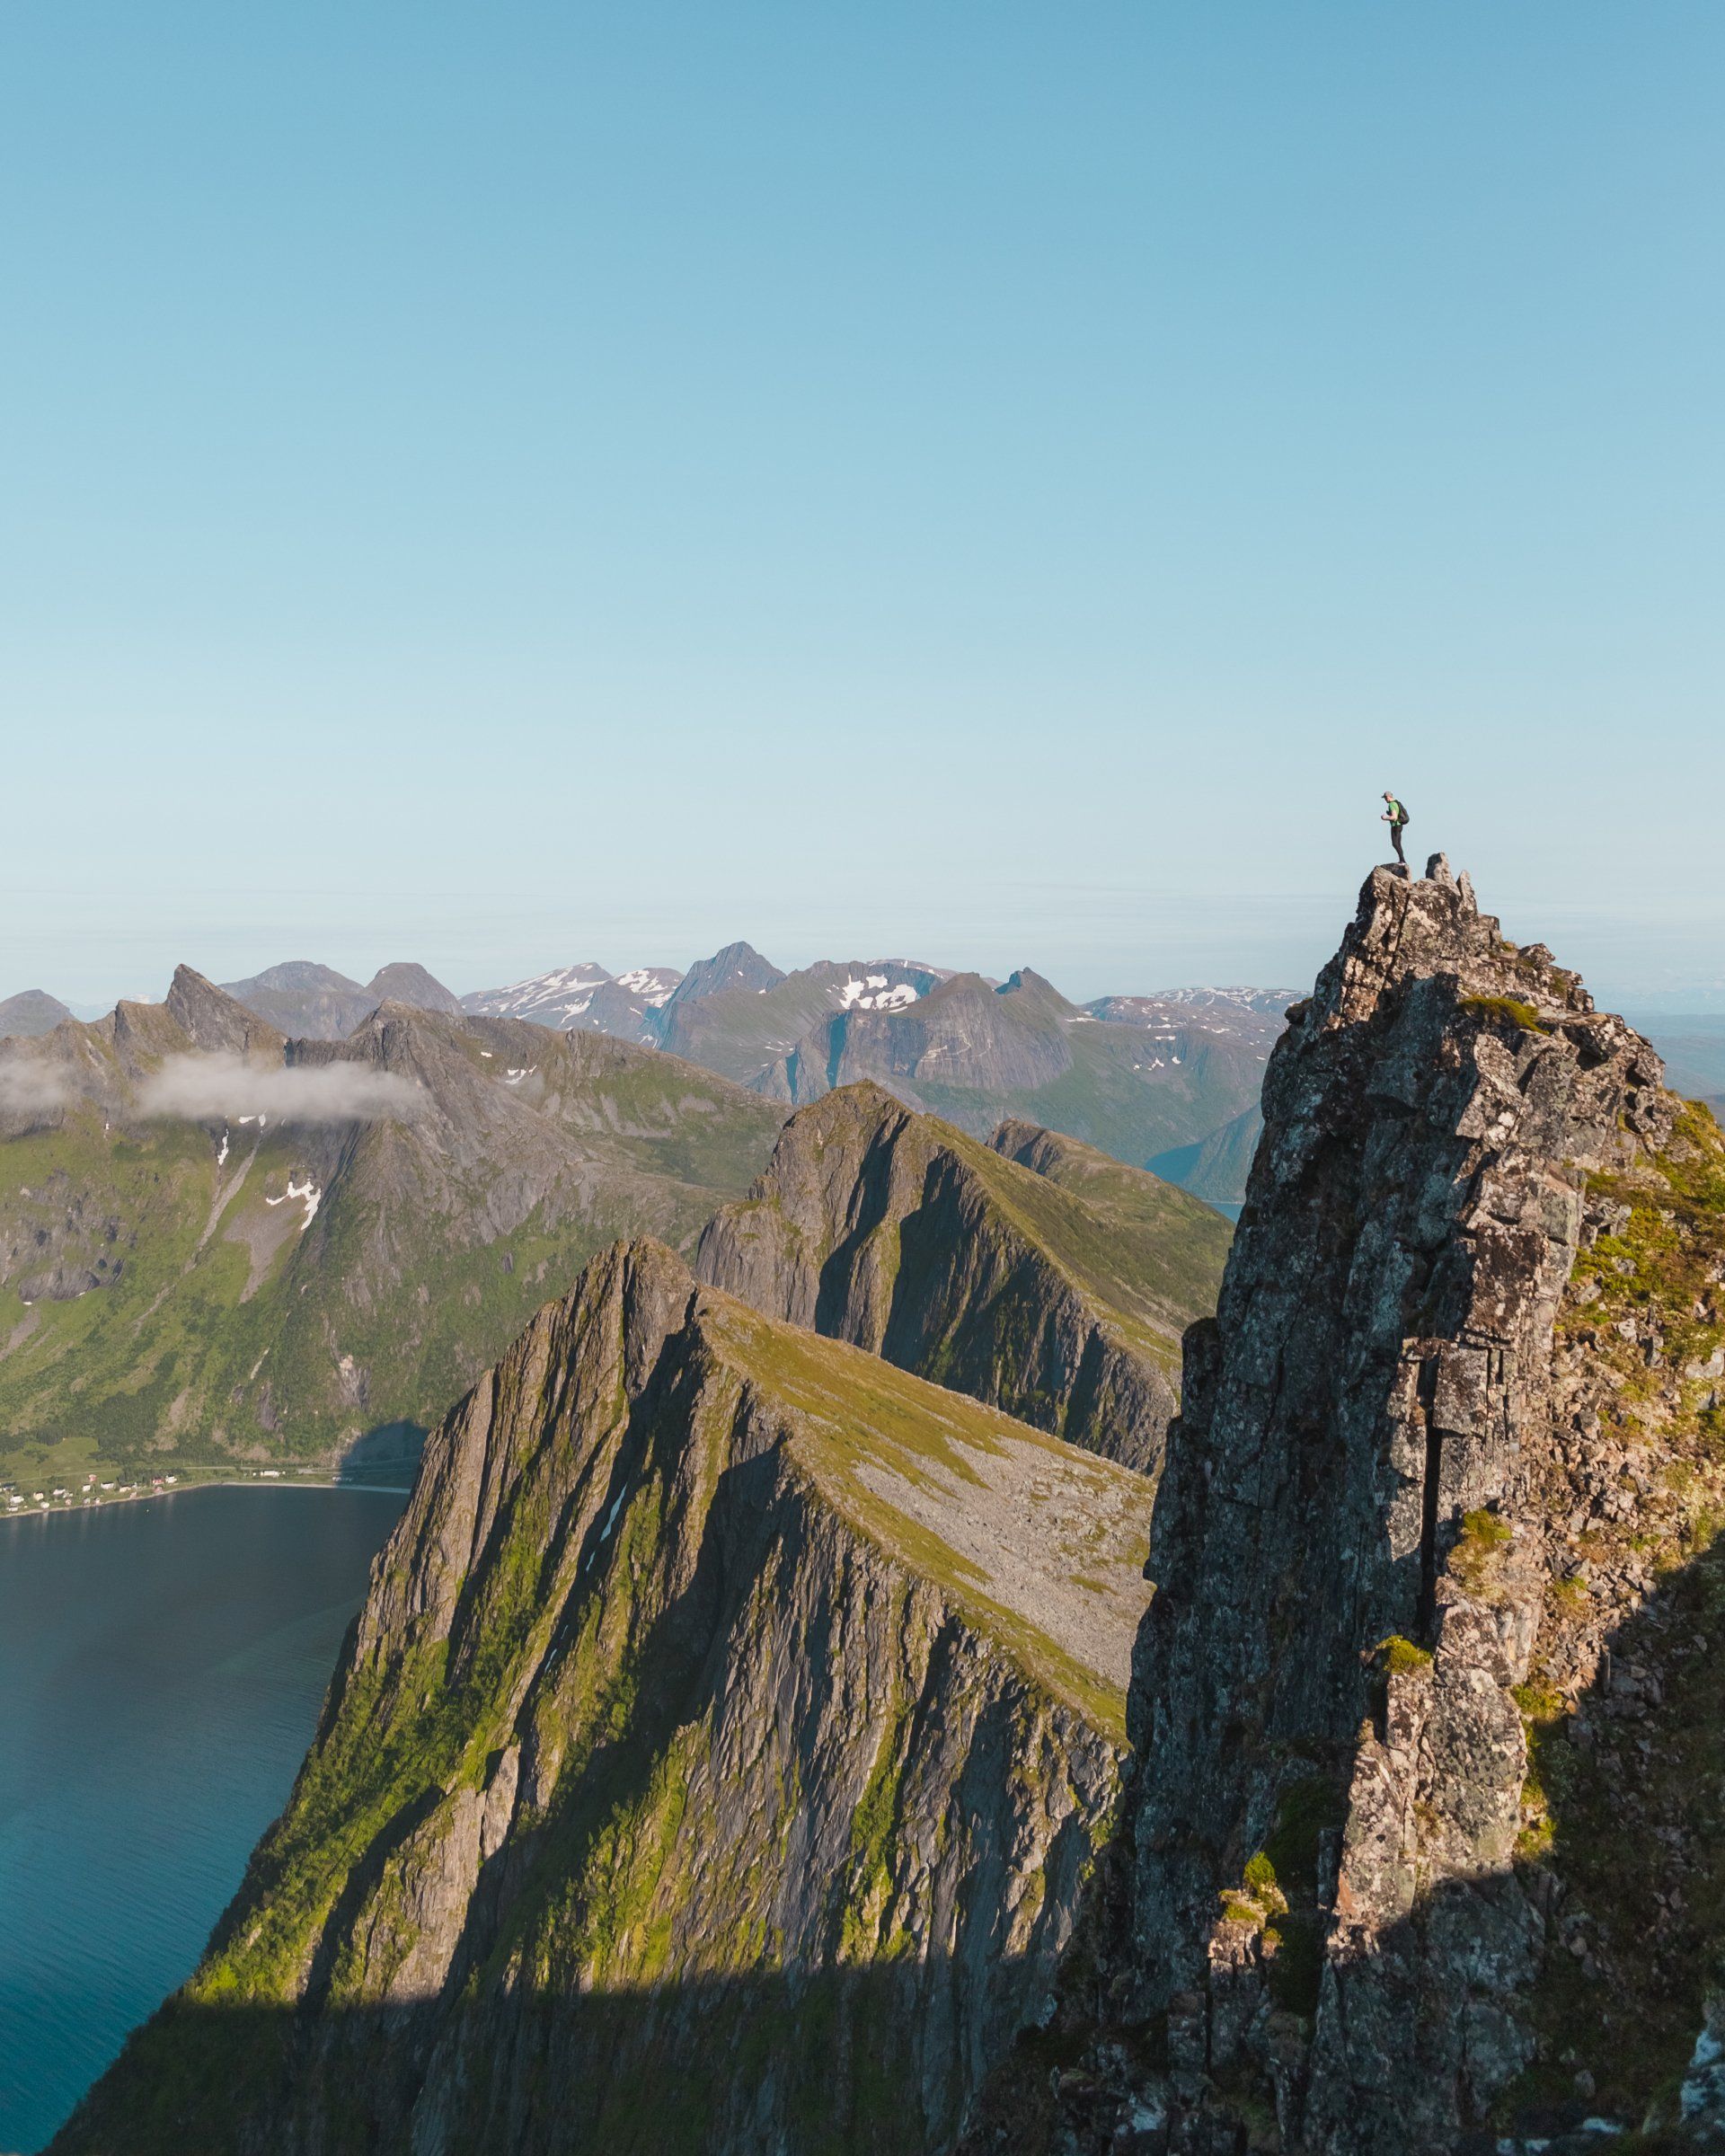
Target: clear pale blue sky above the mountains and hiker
1004 484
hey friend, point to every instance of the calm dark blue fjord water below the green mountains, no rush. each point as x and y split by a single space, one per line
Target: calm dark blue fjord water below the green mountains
161 1674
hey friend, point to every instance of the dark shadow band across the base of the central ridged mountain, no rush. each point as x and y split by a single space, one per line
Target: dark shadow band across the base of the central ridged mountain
803 2064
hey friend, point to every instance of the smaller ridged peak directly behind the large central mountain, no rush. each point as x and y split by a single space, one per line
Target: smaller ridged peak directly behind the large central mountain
905 1236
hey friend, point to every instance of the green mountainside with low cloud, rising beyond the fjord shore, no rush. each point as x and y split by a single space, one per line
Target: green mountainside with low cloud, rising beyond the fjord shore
225 1288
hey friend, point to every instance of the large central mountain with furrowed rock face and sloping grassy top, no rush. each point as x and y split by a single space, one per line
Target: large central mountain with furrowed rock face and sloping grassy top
715 1767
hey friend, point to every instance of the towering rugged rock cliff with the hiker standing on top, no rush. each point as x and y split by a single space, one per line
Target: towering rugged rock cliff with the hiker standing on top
1413 1497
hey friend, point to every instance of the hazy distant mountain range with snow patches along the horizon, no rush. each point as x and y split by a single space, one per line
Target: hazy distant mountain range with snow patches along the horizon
1157 1081
